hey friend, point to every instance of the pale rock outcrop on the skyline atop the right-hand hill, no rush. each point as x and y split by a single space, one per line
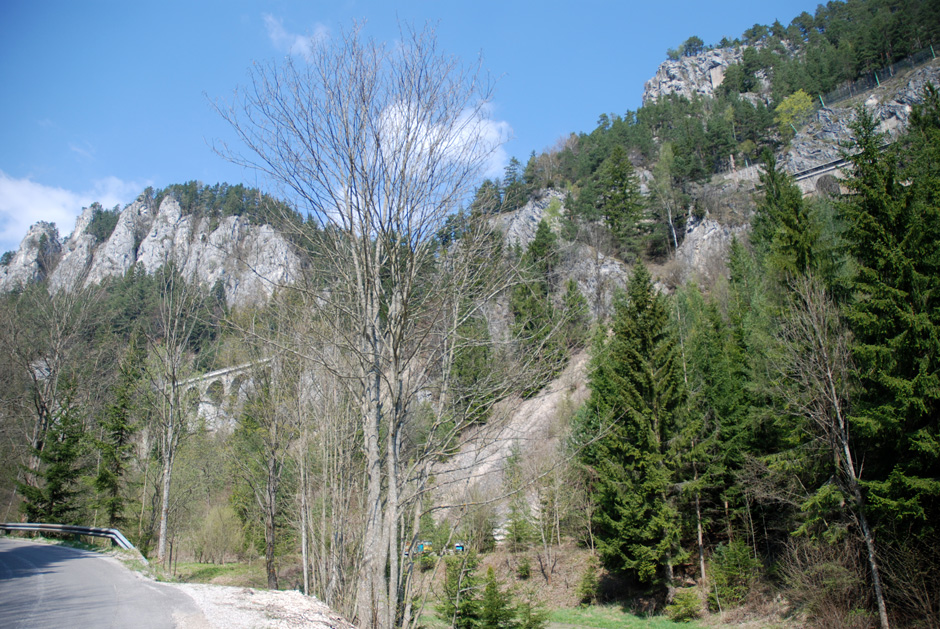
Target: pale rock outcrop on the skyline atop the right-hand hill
690 76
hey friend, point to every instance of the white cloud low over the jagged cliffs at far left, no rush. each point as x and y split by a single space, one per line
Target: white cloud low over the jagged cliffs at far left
24 202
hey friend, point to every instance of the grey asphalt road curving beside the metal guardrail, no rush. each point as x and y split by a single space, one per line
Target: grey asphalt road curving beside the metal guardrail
42 585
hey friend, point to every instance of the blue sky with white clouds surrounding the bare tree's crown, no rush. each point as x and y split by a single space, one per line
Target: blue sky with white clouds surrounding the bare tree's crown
100 99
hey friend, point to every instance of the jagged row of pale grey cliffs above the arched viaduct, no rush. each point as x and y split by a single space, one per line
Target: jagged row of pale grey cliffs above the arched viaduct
249 260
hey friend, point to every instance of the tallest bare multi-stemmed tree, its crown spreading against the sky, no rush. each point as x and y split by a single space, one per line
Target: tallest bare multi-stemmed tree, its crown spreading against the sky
379 146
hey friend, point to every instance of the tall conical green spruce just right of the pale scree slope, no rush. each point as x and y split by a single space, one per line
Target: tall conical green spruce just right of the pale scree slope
637 395
